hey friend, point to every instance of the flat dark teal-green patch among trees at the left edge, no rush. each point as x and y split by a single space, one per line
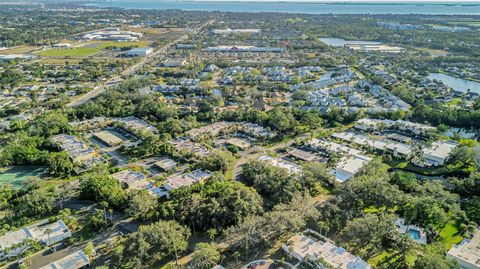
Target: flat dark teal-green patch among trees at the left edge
15 175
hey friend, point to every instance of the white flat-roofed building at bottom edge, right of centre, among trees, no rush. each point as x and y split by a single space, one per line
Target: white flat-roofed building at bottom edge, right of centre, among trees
320 252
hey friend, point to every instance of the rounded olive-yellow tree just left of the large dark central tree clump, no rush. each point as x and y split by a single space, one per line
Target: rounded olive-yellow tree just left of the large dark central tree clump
141 204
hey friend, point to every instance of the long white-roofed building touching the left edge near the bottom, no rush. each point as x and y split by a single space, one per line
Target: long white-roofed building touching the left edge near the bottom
14 243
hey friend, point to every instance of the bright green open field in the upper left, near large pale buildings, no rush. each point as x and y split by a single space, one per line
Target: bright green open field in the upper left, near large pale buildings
89 48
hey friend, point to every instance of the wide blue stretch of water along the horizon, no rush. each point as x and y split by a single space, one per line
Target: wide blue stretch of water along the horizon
305 7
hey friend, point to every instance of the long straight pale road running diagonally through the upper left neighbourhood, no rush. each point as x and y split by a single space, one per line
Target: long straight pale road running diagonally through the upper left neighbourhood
131 69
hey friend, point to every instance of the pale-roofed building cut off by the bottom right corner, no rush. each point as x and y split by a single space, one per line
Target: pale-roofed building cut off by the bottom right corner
467 253
